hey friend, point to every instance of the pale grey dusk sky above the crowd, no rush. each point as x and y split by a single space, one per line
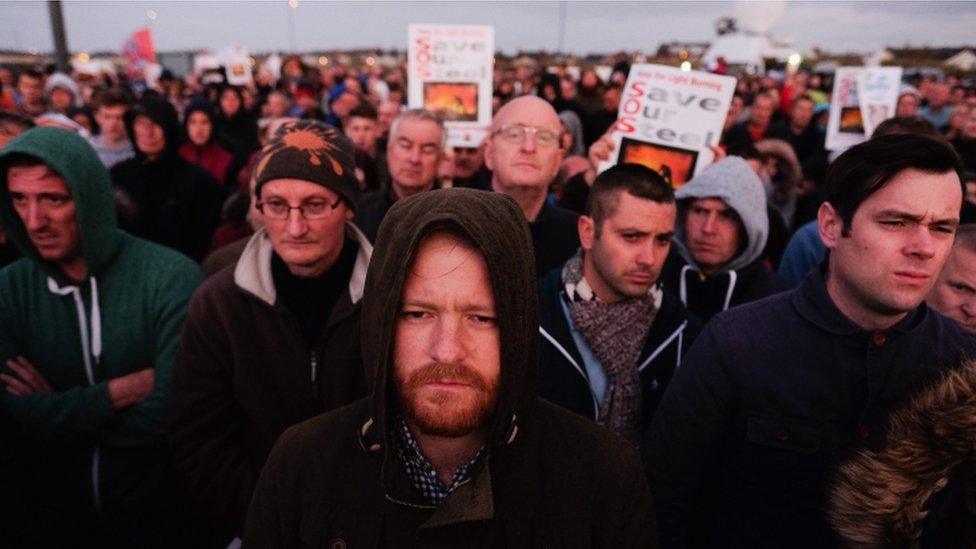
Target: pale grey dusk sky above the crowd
589 26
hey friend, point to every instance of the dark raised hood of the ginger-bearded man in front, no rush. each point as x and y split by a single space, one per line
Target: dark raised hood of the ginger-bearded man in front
494 223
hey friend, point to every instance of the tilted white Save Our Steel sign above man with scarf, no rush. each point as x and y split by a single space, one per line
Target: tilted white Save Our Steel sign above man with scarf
668 118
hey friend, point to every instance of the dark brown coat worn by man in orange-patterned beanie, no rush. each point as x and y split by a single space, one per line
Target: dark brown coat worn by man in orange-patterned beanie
245 374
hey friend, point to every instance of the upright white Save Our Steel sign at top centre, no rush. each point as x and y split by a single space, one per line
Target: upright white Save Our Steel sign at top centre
450 68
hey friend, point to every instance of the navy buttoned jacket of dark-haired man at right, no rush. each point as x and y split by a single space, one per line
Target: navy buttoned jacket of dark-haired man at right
768 401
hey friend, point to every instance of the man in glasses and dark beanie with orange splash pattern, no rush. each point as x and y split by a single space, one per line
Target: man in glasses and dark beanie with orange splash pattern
273 340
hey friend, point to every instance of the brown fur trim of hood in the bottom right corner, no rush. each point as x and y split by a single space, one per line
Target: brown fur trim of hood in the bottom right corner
879 499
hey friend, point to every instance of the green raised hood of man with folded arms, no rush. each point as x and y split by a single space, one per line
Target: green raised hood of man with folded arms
89 183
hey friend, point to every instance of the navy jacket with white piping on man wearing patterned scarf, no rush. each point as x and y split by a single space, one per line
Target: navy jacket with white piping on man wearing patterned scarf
563 378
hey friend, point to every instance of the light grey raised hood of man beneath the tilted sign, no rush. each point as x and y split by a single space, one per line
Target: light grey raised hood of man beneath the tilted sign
733 181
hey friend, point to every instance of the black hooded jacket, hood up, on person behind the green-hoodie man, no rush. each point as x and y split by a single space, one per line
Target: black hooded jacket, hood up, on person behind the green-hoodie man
167 200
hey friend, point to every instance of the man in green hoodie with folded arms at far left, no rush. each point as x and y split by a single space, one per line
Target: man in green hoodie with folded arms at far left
89 327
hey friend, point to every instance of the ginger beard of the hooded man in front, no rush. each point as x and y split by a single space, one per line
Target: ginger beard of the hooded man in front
446 412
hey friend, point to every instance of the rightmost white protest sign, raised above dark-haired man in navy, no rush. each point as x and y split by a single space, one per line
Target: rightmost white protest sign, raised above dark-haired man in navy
862 98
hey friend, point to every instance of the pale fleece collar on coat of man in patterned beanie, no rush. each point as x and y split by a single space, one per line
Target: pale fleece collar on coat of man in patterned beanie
253 271
